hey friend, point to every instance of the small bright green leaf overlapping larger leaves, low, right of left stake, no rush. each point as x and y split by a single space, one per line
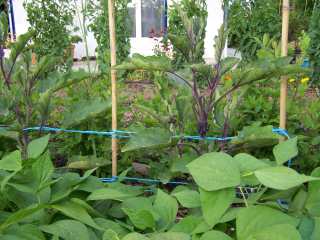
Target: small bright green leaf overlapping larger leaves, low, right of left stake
141 219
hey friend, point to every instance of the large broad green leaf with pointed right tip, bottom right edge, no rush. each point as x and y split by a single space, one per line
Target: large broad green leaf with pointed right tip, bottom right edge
257 218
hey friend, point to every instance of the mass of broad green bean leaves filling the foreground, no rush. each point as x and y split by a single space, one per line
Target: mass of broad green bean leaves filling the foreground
67 205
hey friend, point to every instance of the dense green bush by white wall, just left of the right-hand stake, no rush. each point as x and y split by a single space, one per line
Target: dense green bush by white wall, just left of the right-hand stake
249 20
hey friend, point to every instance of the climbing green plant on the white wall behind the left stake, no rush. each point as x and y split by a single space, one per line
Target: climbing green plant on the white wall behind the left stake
98 16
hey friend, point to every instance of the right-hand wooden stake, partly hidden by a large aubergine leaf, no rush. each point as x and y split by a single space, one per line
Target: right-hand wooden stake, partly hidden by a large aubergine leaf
284 52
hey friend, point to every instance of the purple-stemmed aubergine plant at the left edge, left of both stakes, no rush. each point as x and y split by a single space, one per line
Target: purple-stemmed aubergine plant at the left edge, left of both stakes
27 89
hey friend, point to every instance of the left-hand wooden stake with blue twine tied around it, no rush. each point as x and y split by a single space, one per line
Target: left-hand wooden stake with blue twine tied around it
112 33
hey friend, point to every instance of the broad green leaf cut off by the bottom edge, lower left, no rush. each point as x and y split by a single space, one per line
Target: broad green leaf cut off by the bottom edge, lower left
67 230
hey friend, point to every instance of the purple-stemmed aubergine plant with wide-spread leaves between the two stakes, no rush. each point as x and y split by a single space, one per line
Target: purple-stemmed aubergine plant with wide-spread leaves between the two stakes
209 84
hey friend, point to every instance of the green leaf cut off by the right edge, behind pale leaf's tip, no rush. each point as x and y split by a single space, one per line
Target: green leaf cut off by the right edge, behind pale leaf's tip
313 198
